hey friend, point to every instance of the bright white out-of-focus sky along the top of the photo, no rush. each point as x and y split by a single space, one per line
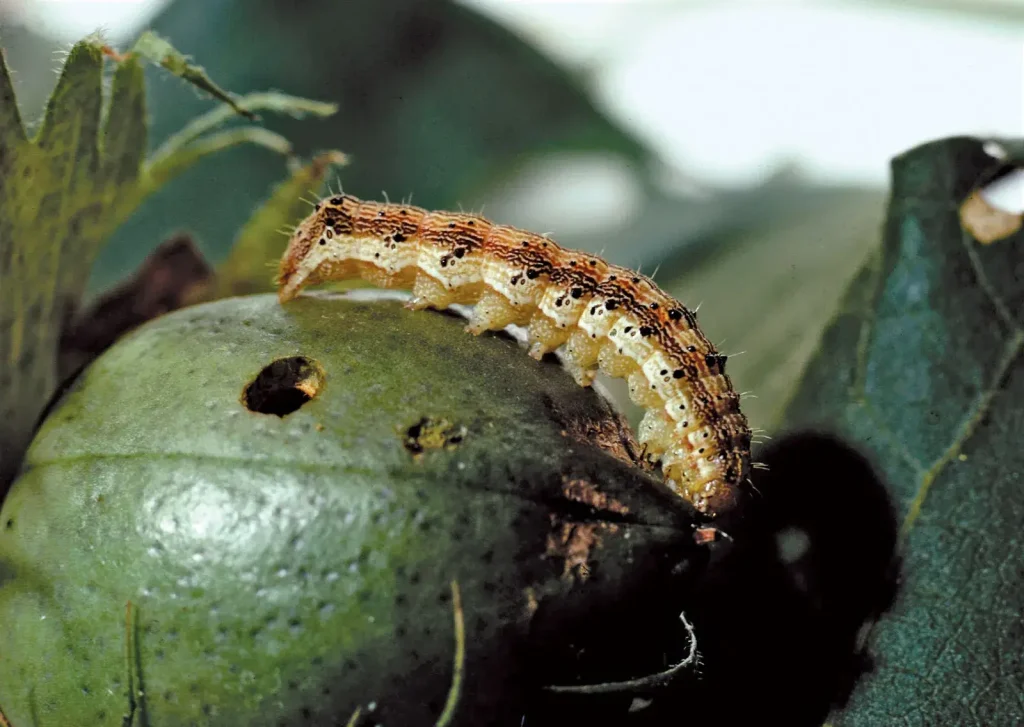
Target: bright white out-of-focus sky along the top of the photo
728 92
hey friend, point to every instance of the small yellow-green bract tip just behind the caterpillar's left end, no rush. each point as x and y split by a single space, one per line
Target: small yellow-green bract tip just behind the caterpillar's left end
250 267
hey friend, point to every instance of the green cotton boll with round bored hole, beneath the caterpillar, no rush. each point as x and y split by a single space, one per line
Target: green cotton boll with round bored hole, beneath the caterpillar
288 534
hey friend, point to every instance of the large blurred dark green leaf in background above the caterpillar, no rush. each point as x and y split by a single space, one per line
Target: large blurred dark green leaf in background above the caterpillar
436 102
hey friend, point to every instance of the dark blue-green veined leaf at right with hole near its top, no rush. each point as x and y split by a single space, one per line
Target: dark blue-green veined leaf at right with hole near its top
922 370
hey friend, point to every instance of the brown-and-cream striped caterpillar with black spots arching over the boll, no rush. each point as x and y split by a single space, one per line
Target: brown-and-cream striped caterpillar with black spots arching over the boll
605 318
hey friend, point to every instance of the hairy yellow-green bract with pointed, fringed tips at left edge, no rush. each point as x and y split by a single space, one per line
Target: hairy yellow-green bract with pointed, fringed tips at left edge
62 194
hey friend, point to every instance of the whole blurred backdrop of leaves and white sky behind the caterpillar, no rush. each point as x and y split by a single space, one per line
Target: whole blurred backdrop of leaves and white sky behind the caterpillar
739 149
